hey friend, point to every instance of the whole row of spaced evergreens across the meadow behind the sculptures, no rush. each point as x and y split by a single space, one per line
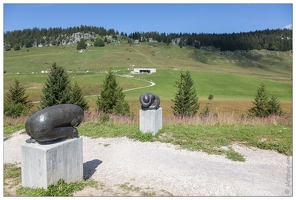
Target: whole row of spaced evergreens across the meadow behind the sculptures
58 90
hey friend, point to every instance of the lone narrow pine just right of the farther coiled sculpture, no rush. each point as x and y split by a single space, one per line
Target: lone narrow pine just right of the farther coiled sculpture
185 102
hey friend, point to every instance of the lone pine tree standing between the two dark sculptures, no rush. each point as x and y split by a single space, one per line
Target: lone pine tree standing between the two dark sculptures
111 99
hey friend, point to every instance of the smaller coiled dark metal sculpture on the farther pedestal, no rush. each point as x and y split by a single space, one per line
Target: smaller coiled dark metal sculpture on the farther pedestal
149 101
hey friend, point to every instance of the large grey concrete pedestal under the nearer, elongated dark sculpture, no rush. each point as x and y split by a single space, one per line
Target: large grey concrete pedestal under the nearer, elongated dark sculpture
43 165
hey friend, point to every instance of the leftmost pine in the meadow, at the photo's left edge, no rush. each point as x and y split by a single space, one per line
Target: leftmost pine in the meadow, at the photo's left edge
16 102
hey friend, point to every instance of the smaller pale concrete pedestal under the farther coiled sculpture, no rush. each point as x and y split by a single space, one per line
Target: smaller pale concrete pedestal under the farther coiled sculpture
151 121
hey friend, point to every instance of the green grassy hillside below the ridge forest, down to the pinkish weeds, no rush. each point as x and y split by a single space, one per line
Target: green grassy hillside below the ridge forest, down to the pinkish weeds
229 76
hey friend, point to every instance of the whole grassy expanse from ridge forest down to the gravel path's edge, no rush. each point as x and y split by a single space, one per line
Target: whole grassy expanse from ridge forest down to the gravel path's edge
232 77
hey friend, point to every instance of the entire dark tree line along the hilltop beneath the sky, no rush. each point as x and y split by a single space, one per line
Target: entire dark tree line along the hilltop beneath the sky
275 39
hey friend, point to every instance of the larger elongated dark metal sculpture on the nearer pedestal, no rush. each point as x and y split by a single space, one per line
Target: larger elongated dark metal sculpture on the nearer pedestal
54 123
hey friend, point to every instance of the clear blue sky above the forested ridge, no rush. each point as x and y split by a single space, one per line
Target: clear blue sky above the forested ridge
168 18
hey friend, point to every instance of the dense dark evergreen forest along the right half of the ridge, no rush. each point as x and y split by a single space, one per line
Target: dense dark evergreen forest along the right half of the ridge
279 39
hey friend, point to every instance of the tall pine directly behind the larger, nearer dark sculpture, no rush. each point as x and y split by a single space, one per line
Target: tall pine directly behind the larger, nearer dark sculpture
57 88
